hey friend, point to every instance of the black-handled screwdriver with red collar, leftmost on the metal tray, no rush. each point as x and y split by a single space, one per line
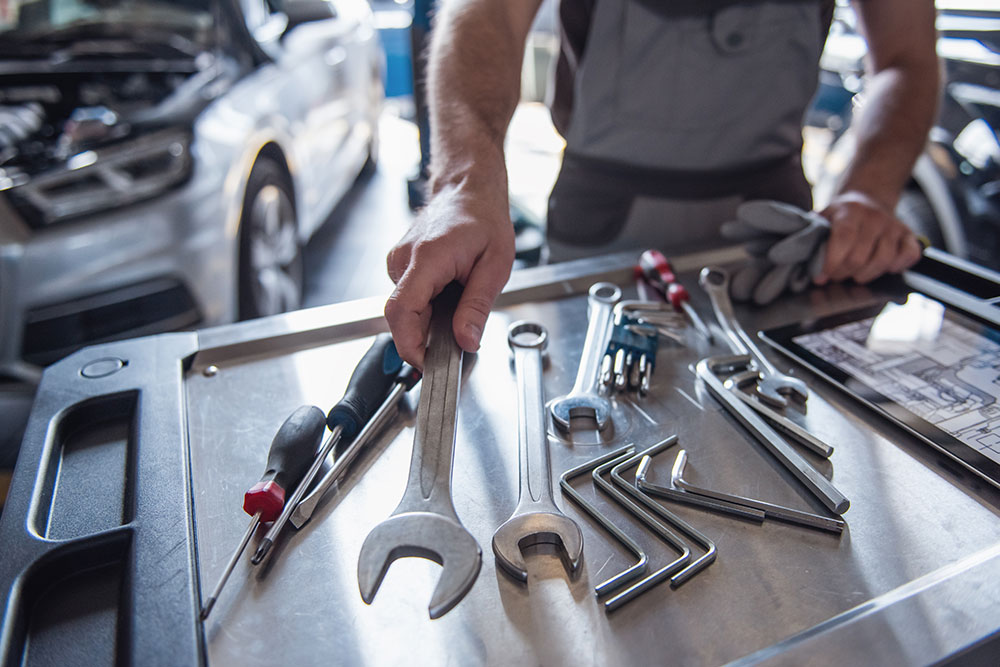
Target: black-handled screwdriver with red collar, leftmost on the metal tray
290 453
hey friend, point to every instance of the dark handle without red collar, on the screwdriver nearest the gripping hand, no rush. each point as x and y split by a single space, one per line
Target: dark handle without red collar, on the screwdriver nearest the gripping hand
366 391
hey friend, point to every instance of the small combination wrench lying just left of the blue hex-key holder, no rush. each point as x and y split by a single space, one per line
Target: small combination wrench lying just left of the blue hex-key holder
583 399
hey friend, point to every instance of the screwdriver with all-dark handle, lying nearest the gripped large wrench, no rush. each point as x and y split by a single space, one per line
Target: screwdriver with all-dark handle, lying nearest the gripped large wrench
366 391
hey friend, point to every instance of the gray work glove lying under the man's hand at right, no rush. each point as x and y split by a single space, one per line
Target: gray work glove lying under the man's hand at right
787 247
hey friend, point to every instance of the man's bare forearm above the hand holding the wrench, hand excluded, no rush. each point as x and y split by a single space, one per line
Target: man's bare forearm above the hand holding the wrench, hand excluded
474 83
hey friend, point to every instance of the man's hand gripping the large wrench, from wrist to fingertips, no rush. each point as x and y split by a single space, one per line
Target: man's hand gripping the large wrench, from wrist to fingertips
460 237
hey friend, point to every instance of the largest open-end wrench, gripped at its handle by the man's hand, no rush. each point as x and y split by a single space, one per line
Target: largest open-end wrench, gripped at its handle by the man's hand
425 524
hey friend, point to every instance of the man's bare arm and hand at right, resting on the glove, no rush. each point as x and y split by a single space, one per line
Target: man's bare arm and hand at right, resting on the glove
901 98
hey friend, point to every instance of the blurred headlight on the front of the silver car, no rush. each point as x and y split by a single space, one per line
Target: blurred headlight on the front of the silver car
96 180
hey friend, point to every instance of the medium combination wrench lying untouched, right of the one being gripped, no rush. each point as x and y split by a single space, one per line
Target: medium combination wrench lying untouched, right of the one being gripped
536 519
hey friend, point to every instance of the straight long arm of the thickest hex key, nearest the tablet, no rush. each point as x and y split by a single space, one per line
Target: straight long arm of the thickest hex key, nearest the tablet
820 486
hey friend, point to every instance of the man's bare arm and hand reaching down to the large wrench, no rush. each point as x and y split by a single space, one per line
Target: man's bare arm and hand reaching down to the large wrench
464 233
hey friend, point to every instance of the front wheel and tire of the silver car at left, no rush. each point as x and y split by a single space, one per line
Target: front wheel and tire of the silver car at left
270 263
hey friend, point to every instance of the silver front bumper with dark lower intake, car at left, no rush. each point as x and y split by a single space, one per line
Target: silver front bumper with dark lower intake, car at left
160 265
